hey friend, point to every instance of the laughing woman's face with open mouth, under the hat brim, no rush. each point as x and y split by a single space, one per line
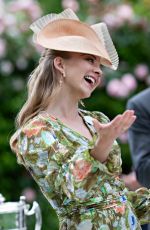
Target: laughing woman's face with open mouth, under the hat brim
83 74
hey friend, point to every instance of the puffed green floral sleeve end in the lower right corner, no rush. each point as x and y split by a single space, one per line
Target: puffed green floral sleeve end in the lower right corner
140 200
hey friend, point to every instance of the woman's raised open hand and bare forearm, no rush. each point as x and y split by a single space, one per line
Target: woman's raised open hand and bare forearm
107 133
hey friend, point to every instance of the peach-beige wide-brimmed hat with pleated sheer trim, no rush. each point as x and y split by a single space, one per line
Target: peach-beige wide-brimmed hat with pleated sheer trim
66 32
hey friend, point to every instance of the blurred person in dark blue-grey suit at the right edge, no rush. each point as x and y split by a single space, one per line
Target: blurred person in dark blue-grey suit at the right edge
139 141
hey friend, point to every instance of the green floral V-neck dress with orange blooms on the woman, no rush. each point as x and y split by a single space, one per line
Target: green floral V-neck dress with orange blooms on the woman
85 193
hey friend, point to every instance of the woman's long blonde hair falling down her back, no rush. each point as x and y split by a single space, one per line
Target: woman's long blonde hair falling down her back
42 86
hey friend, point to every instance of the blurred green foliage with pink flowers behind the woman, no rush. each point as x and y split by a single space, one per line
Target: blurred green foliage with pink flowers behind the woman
129 26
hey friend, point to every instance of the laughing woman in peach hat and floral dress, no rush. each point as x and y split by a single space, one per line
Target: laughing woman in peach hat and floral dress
72 153
